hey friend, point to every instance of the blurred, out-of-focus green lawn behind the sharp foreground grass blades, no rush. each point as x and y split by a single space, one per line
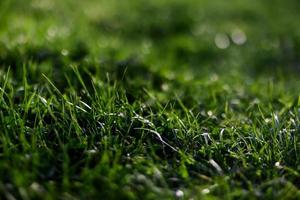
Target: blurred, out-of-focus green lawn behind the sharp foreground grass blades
173 38
